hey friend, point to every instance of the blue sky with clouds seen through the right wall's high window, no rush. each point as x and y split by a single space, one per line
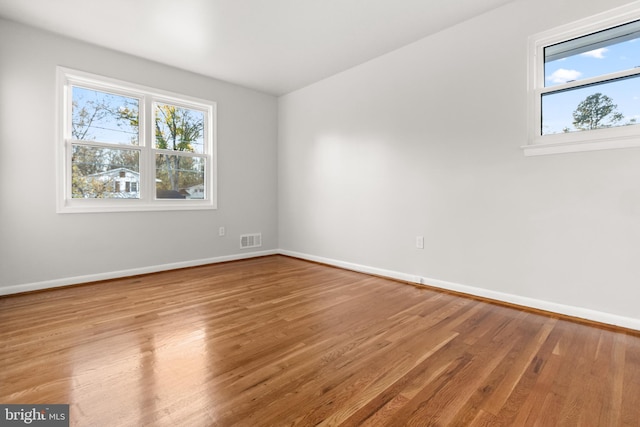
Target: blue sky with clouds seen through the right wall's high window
558 108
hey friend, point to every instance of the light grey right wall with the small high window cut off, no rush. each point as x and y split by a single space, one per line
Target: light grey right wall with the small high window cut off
426 141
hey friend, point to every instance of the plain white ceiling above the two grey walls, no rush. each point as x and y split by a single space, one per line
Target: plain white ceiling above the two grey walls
275 46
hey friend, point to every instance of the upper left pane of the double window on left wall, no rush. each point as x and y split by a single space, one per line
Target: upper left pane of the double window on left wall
104 117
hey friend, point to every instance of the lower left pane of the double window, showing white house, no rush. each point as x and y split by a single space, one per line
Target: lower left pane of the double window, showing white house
105 173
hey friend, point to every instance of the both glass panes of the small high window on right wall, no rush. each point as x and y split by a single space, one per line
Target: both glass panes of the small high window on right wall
609 99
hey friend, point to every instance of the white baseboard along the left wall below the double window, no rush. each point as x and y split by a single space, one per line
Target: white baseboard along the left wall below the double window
27 287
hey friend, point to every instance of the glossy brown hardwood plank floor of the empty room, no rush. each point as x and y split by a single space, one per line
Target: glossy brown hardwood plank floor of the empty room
278 341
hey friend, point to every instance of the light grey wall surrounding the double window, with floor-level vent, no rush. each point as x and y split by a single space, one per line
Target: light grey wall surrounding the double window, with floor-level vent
39 248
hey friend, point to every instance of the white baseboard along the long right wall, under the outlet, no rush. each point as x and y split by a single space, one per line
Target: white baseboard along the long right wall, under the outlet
567 310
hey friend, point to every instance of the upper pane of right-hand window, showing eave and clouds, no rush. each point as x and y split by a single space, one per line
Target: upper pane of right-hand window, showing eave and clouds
597 54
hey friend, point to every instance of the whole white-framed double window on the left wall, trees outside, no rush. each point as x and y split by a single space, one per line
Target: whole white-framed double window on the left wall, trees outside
126 147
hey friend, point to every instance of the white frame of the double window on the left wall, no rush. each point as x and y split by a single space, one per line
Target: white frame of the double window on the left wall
66 78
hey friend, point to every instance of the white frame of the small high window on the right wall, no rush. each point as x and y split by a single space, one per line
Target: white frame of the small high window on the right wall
596 139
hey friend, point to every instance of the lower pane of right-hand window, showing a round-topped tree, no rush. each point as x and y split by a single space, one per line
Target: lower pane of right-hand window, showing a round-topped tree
608 104
